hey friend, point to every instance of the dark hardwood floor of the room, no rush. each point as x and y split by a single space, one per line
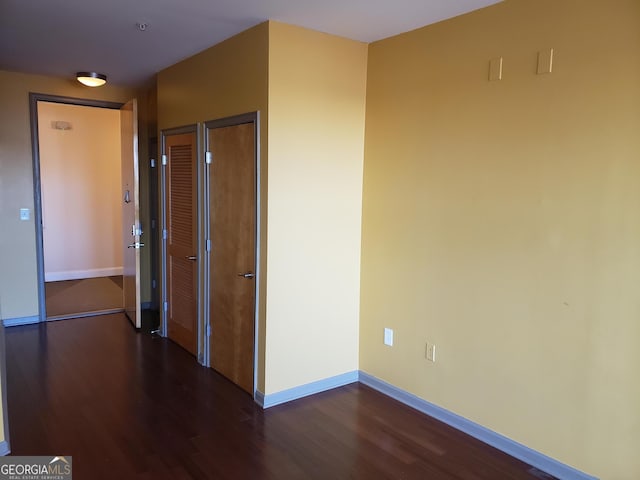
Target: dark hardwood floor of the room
130 405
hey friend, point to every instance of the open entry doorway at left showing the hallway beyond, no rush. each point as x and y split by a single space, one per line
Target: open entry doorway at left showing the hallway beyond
78 213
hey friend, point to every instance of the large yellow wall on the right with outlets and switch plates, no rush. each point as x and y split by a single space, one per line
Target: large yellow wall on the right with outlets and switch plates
501 223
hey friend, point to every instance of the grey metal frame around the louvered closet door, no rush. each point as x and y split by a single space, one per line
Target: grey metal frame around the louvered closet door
163 234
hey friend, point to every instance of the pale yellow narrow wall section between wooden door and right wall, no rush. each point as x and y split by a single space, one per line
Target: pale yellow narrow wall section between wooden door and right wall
316 139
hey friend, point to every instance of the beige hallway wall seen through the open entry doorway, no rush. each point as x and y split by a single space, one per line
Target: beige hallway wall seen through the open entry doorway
81 191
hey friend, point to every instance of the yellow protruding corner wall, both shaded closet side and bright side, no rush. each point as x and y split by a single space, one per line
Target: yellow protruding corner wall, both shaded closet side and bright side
310 90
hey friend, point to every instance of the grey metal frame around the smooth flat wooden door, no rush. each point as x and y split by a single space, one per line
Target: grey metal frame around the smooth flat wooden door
251 117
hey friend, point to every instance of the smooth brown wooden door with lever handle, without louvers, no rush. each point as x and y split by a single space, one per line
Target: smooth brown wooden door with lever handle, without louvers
233 234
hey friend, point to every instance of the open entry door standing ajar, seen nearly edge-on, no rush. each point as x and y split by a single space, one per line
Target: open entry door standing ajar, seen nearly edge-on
131 229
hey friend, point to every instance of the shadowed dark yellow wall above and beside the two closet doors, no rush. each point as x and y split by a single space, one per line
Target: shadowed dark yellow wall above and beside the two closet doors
227 79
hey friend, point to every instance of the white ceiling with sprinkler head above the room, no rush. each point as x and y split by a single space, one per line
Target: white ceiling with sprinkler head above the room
60 37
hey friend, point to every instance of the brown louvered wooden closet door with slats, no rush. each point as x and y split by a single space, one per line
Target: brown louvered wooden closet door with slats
181 240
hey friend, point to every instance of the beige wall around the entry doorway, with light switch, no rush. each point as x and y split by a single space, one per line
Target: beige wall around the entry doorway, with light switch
18 276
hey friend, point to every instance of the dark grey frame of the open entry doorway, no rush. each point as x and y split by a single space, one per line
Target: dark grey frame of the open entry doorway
34 98
